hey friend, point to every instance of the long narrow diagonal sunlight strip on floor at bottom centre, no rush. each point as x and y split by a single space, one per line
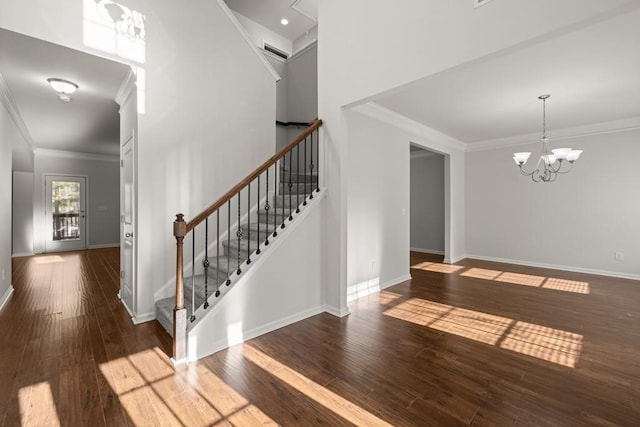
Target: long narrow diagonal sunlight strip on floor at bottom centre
330 400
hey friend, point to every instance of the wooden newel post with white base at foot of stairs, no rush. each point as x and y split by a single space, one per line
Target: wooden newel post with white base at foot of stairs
179 312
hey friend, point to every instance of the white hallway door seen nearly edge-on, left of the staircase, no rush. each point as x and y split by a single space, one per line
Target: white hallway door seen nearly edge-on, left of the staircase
127 224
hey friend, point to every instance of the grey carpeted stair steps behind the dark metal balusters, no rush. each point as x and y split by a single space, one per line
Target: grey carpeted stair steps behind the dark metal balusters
289 199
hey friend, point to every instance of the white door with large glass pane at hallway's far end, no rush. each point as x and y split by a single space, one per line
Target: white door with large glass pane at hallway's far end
65 222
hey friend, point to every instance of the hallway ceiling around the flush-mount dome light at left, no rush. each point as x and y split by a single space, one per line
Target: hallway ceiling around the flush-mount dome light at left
90 122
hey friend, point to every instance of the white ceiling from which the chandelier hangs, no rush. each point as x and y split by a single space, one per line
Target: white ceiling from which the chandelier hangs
592 74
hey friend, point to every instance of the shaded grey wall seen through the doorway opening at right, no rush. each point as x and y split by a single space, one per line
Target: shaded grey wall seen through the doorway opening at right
427 202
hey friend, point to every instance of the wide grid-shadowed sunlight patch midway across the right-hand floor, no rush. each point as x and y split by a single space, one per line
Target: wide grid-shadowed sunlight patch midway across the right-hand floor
553 345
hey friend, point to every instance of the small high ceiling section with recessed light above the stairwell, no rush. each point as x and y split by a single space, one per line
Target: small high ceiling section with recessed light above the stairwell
302 14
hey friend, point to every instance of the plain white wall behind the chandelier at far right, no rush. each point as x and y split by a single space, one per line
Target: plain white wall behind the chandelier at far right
574 223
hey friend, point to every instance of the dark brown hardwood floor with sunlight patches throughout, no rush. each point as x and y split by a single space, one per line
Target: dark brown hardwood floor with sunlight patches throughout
475 343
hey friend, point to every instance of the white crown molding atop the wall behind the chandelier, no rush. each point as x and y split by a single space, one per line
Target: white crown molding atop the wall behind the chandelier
603 128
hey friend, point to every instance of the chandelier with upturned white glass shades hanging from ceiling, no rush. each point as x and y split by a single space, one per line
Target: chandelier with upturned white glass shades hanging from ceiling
550 164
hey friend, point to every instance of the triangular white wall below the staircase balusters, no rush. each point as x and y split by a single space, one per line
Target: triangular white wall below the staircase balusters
292 267
